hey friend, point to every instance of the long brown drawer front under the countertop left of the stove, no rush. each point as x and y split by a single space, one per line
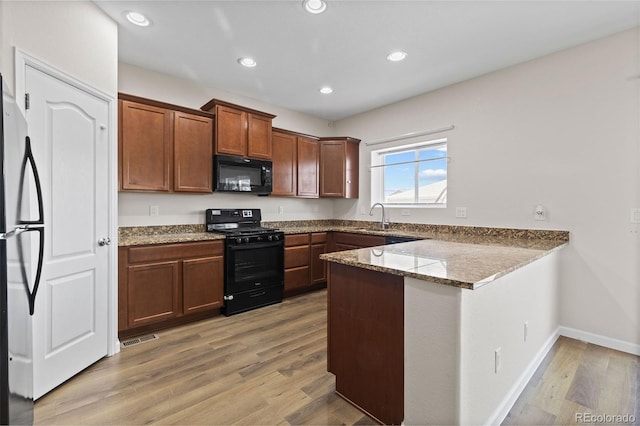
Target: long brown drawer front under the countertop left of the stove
175 251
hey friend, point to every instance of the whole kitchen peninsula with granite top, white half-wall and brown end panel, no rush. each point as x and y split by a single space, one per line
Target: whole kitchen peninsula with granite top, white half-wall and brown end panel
440 331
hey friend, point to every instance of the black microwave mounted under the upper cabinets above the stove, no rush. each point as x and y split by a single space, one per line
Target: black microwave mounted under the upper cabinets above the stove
243 175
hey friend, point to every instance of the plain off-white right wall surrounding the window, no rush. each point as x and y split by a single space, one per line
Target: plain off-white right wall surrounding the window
562 131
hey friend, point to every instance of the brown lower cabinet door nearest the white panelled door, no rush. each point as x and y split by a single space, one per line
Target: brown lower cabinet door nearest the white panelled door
153 293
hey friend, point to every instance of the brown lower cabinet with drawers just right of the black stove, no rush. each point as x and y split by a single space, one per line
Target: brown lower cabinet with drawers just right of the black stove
303 267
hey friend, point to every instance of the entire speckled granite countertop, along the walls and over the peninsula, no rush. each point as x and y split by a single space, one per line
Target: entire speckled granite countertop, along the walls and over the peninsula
461 256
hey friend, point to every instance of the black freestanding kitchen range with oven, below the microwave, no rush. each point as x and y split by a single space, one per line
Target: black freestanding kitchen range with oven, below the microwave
253 259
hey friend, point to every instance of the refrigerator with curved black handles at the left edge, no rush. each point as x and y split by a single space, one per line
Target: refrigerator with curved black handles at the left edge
21 254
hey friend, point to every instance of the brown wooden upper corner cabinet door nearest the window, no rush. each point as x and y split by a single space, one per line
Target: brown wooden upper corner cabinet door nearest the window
332 169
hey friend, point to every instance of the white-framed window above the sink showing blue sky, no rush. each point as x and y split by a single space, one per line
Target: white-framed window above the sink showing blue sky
413 174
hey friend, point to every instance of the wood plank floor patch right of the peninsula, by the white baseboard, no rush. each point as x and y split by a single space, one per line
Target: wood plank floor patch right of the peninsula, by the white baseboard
578 381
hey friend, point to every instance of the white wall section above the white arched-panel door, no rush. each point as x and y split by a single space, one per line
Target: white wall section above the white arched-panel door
73 36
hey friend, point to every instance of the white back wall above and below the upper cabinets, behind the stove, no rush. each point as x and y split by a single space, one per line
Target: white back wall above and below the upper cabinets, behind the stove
133 209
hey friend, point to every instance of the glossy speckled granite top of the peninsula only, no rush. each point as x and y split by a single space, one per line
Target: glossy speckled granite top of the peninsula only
469 265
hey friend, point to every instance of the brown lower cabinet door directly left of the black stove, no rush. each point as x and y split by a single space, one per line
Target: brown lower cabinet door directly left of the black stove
202 284
